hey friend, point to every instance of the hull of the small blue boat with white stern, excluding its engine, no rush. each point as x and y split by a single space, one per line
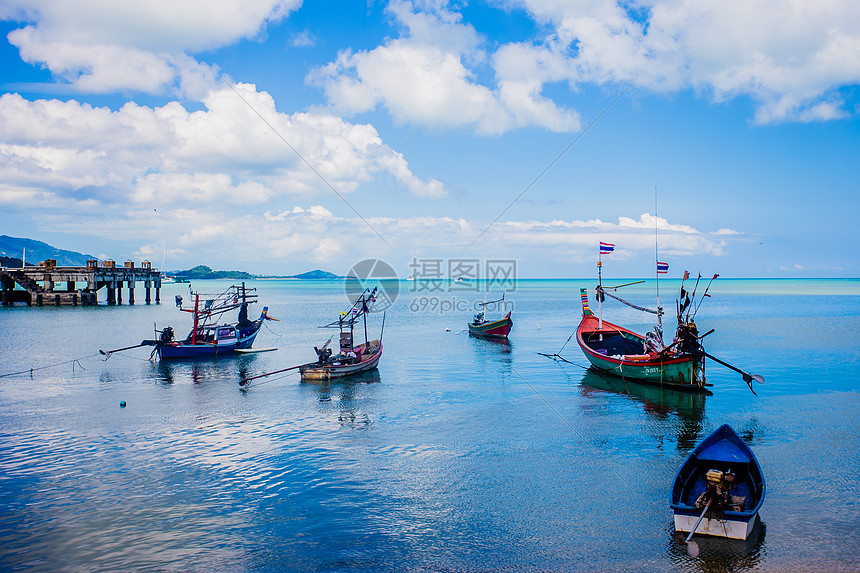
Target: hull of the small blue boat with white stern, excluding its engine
723 450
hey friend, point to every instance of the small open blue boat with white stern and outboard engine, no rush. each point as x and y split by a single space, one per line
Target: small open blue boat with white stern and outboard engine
719 489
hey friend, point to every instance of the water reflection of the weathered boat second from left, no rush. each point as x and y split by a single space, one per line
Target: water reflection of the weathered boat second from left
343 397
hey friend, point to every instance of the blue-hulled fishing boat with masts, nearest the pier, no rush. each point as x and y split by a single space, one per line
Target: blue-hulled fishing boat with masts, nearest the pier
208 337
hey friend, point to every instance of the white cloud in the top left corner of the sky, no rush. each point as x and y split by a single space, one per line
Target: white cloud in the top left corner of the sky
102 46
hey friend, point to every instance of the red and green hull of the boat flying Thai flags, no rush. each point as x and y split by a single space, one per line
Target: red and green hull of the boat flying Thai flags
621 352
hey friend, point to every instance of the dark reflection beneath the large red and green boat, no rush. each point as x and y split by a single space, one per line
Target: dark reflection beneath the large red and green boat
685 410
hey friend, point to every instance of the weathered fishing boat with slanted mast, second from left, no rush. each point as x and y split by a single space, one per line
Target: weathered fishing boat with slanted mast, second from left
351 358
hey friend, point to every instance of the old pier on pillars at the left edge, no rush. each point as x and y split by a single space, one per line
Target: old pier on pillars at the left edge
48 284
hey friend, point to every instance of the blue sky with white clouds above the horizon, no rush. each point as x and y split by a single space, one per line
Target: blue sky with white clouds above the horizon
277 136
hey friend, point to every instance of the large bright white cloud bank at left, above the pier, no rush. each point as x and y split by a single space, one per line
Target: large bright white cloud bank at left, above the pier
166 155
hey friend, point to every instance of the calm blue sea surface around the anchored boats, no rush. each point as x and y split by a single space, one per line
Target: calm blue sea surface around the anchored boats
457 455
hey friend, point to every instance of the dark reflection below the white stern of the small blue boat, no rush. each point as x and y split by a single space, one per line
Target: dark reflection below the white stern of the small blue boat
718 554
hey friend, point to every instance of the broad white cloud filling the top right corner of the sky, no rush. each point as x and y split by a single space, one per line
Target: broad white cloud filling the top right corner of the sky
791 58
